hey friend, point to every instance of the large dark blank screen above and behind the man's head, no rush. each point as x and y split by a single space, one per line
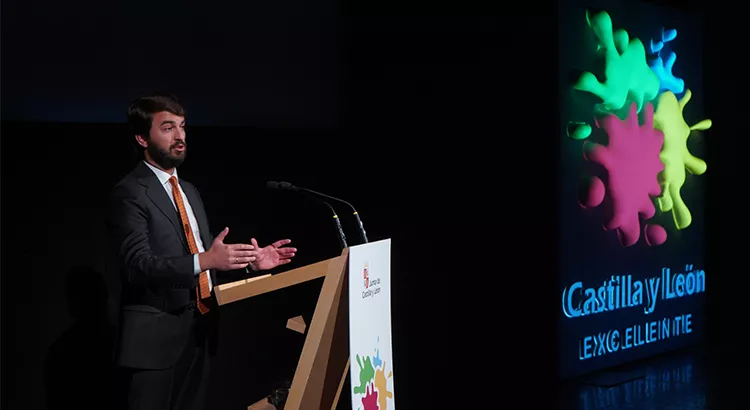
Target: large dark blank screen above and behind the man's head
270 65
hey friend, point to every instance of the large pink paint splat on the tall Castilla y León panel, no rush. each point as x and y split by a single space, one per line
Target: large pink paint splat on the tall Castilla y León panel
632 161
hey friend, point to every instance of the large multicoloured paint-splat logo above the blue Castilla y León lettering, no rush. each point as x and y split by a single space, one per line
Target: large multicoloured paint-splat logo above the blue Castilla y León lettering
646 158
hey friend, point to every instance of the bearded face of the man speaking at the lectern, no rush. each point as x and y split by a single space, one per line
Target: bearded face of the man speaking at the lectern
166 145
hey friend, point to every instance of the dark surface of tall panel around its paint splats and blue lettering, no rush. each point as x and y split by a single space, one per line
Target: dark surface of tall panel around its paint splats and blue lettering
592 255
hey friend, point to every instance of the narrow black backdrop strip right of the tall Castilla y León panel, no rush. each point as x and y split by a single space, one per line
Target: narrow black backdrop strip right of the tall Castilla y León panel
725 224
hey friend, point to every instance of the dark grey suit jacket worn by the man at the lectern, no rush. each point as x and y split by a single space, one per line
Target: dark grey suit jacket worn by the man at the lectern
156 269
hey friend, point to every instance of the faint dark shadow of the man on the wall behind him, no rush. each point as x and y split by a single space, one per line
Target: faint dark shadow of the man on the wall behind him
78 369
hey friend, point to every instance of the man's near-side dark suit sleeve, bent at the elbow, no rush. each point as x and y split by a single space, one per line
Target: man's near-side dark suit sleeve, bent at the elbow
128 230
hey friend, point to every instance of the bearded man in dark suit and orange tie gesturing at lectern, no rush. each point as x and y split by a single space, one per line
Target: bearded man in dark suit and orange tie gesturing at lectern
168 262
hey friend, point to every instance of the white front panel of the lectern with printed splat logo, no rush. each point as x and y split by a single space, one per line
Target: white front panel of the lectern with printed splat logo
370 326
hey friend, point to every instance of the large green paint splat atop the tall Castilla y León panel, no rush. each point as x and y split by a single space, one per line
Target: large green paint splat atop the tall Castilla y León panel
628 76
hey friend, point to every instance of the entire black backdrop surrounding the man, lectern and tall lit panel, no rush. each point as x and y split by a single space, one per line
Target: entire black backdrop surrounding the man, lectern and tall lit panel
438 121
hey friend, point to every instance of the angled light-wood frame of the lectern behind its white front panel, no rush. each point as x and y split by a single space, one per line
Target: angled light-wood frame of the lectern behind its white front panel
324 363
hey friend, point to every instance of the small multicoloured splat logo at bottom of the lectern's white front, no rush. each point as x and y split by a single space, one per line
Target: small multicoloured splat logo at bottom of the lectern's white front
375 380
